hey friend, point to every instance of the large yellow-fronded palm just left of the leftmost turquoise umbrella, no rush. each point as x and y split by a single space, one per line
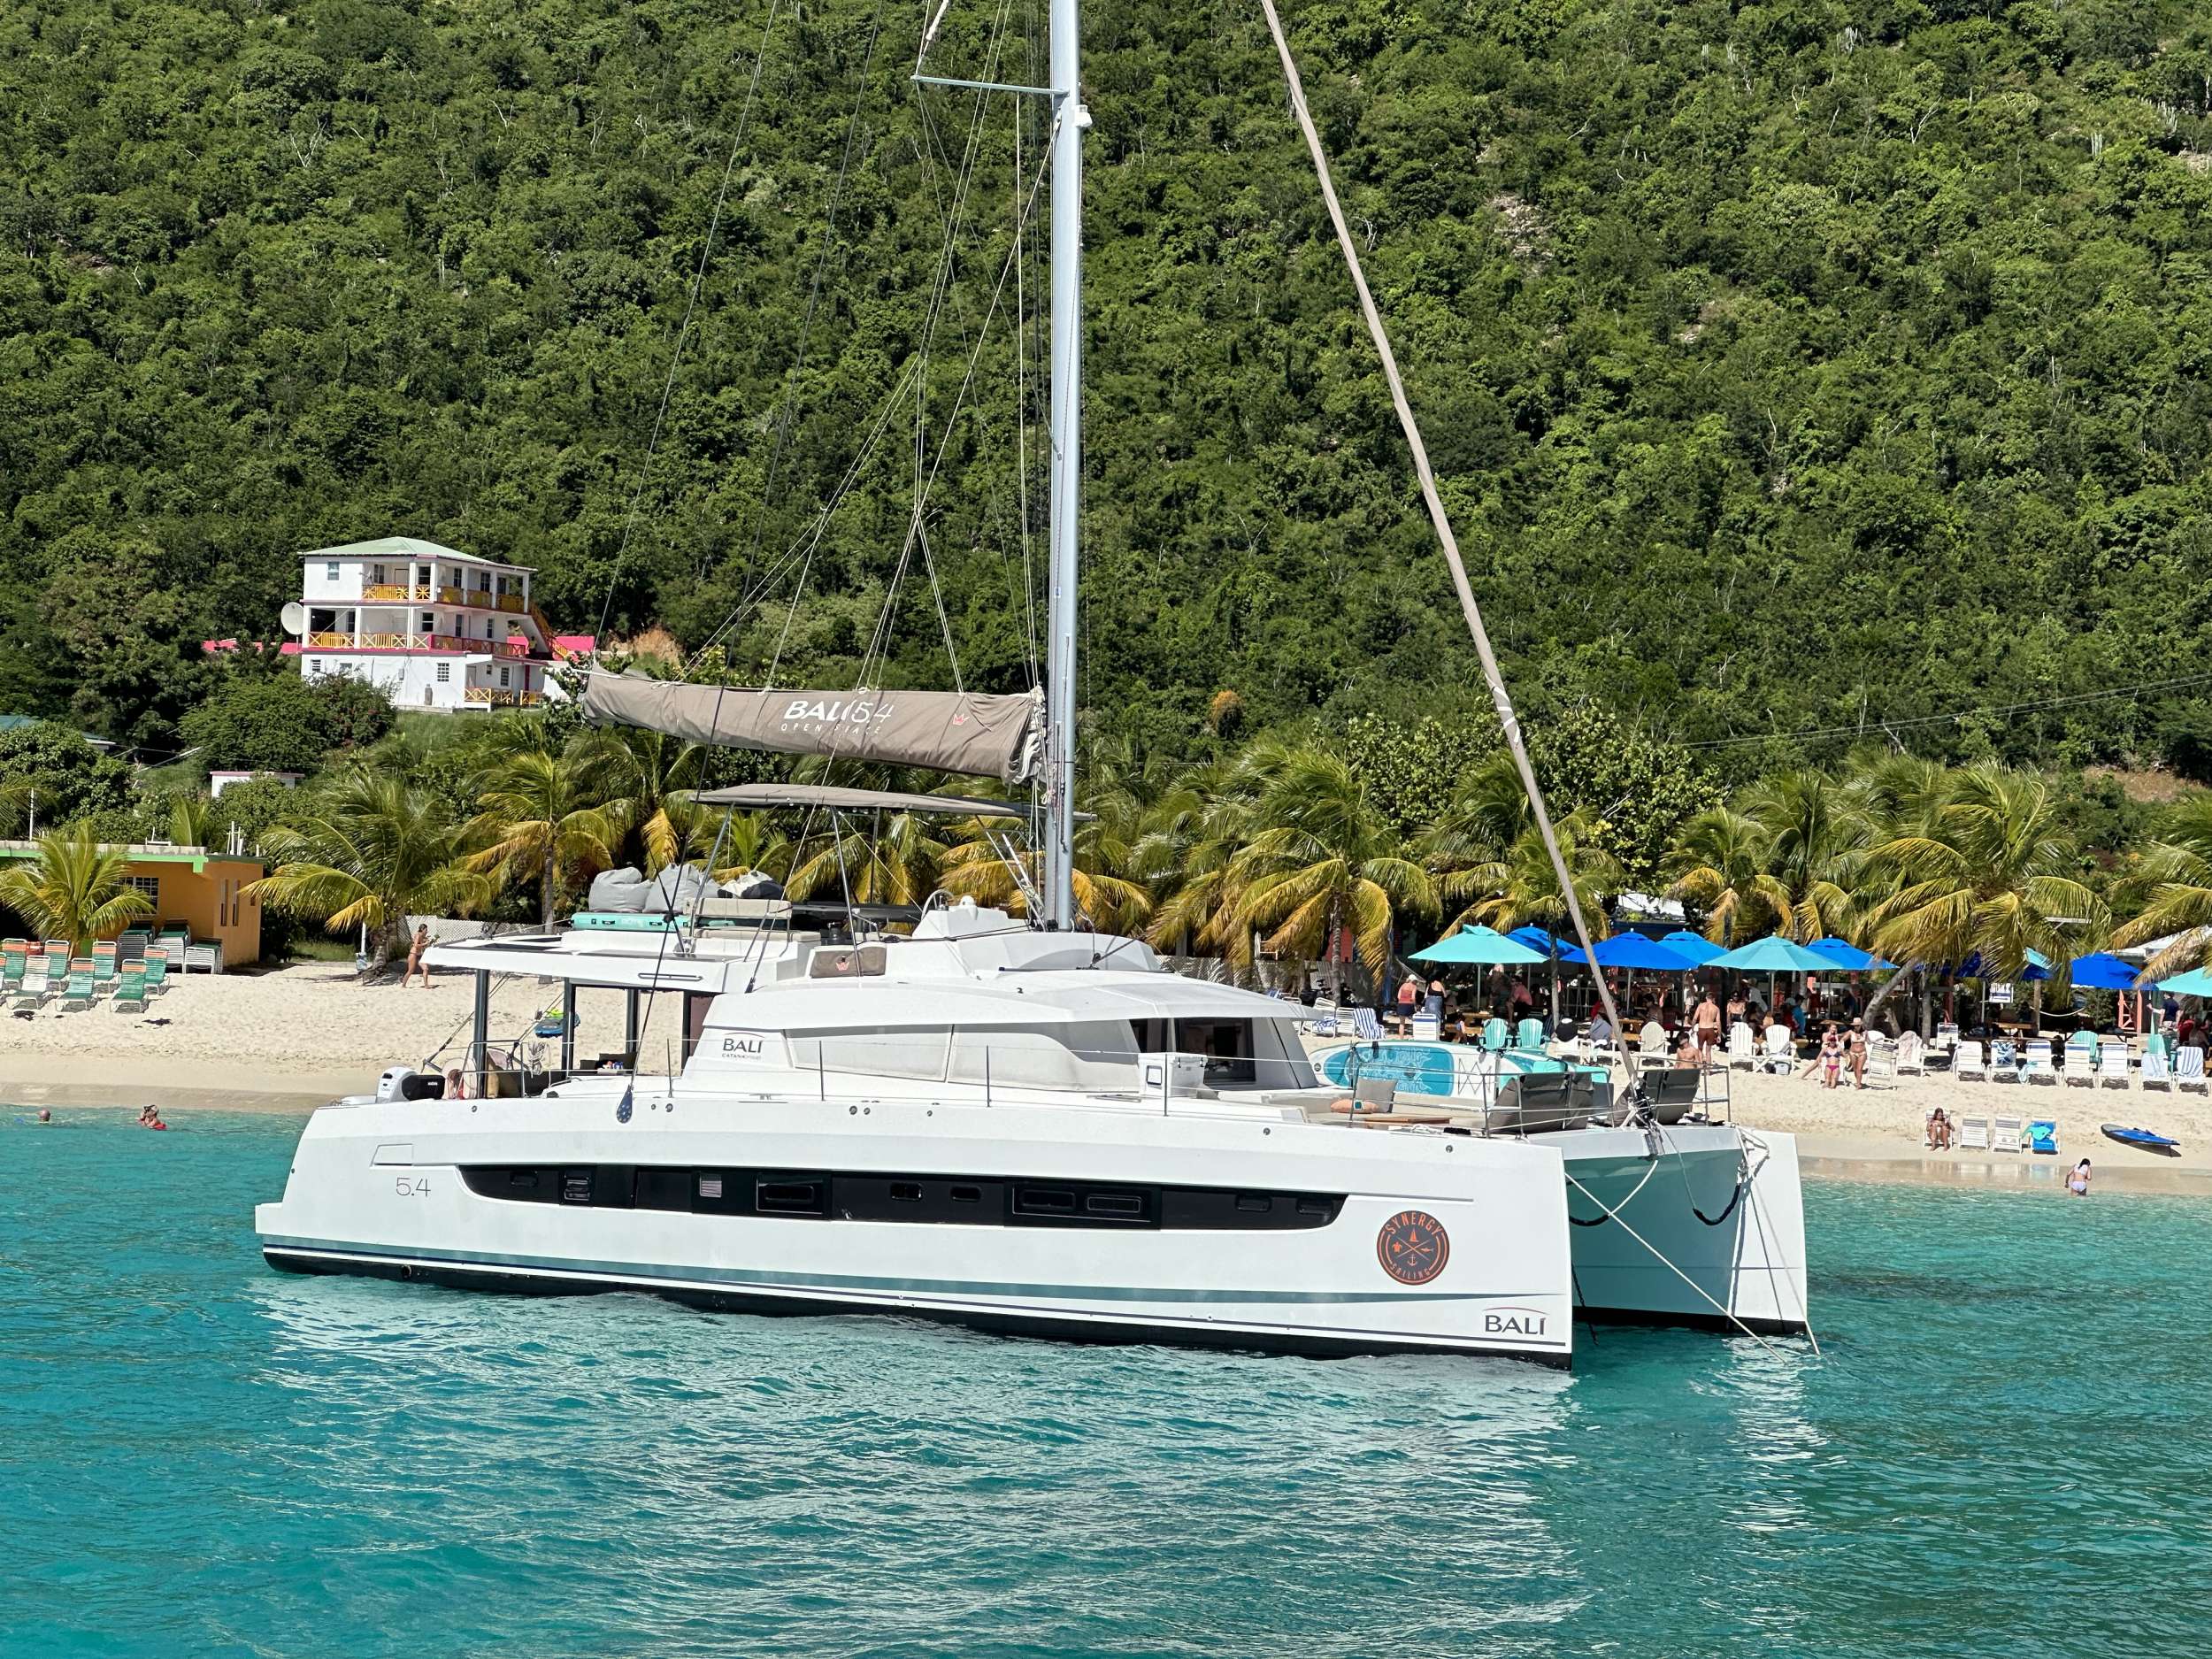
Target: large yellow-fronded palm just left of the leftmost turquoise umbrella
1324 857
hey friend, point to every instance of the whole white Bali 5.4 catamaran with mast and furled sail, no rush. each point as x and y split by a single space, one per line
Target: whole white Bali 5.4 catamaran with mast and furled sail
1014 1125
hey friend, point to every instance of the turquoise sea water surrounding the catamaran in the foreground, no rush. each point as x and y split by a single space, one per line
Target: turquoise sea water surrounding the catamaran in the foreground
2005 1452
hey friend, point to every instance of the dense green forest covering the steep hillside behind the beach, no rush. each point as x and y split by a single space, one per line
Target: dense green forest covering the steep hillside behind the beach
1791 368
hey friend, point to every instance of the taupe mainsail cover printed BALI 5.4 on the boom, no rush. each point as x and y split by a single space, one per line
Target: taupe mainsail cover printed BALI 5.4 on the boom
941 731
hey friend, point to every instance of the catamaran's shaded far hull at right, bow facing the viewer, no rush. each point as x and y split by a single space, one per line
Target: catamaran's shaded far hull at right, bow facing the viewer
1700 1224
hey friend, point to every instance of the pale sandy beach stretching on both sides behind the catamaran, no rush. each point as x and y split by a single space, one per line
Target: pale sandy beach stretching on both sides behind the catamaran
295 1039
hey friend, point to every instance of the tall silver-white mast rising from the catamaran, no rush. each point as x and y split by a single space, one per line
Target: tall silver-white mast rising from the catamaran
1067 441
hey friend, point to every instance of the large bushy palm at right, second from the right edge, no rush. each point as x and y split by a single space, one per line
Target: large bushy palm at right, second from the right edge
1990 873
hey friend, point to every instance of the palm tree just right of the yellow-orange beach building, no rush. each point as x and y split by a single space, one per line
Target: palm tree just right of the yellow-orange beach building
371 853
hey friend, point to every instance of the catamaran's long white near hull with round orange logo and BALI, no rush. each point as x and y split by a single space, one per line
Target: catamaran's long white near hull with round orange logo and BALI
417 1191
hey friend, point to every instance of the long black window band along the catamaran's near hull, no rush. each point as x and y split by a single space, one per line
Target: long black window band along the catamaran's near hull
950 1200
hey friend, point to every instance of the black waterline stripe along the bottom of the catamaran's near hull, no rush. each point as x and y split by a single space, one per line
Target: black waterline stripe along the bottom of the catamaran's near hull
547 1282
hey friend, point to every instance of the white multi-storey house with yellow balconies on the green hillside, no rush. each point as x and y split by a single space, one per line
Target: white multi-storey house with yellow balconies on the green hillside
430 627
